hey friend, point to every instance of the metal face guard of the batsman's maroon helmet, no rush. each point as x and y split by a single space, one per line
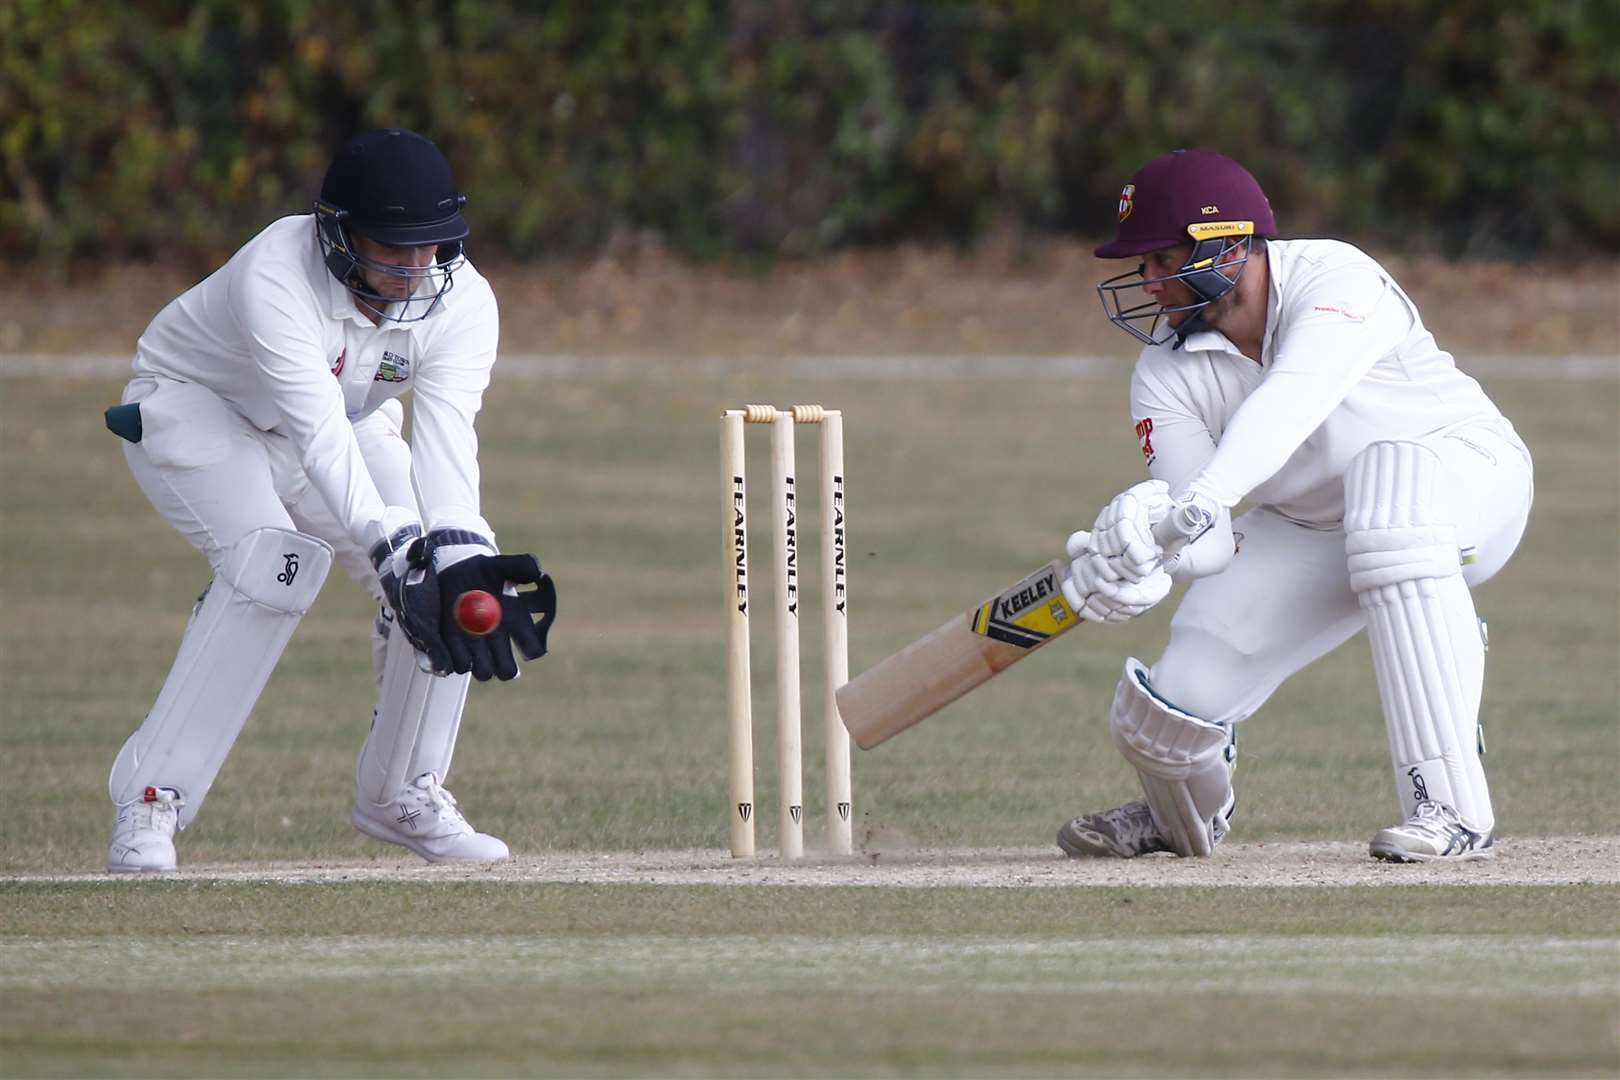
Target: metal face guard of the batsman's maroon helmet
1211 273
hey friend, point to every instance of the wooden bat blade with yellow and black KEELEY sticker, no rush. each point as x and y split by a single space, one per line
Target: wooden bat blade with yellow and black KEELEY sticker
966 652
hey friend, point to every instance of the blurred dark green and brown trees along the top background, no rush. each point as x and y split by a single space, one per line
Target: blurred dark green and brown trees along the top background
774 127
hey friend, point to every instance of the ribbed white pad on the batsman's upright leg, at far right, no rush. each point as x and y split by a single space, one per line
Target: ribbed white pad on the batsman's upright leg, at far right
1428 655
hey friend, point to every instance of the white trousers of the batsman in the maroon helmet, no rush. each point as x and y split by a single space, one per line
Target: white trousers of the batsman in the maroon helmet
1285 600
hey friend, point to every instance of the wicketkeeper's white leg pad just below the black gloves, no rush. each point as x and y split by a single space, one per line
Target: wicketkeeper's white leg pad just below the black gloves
416 725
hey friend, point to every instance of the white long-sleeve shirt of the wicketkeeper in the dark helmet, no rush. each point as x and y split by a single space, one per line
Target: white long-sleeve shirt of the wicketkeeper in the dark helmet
283 342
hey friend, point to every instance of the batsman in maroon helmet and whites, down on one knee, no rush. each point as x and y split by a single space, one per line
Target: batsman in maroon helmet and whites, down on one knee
1383 483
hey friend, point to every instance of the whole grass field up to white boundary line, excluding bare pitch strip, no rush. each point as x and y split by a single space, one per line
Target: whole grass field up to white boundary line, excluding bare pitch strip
616 742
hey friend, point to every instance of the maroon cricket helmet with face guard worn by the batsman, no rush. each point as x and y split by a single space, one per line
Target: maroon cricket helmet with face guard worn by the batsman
1187 197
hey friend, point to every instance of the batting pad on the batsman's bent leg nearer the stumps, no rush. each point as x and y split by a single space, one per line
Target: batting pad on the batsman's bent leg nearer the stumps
1182 762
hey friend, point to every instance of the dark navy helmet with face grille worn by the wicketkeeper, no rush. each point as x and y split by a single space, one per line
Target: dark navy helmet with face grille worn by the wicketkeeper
394 189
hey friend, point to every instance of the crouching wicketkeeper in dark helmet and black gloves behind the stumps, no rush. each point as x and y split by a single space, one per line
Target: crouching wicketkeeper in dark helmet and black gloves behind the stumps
263 423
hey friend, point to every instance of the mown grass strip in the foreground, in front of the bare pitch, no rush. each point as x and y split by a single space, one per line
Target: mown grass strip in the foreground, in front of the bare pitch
581 980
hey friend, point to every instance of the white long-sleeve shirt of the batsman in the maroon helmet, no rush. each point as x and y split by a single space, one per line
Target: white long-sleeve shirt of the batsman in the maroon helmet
1345 364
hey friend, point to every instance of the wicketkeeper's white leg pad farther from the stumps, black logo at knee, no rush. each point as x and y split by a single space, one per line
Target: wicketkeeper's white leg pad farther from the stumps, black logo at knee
263 587
